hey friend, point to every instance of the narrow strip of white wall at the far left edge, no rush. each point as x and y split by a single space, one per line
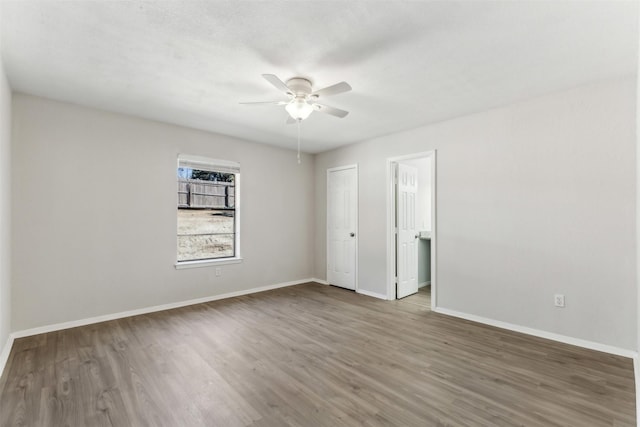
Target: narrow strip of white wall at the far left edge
5 209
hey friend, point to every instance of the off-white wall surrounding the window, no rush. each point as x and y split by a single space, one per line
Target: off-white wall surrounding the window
94 208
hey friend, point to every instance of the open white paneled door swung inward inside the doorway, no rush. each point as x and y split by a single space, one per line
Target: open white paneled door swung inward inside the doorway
407 250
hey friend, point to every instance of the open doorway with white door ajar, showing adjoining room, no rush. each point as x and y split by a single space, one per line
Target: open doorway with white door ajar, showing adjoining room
411 228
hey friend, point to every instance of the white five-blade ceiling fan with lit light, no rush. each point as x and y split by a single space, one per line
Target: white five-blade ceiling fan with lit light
302 98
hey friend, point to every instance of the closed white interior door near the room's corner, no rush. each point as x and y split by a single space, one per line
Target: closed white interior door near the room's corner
342 215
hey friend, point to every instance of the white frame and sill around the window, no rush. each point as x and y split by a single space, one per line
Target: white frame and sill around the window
224 166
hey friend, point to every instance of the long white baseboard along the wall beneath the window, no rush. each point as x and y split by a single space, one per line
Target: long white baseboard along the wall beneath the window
120 315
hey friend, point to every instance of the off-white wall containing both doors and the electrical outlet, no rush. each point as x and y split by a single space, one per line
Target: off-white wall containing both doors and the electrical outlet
533 199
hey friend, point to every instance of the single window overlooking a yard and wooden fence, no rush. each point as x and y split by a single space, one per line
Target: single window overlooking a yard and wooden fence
207 209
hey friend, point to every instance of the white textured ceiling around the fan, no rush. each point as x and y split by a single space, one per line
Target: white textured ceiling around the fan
409 63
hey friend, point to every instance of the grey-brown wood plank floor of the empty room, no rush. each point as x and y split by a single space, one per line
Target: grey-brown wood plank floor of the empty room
308 355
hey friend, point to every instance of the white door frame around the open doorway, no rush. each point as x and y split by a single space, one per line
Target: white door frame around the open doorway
391 221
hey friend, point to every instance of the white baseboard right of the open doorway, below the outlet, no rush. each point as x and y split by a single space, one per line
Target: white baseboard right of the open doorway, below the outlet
542 334
